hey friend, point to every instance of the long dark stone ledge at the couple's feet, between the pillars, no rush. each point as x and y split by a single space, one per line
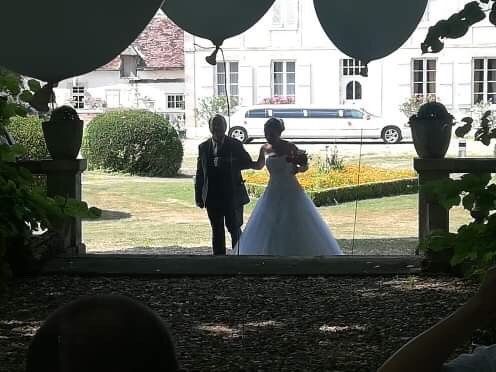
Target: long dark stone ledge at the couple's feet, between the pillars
140 265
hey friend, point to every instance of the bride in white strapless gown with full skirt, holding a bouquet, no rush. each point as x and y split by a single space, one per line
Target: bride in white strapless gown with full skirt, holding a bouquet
285 221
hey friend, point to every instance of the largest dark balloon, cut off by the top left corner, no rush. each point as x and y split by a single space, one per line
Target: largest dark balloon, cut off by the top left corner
56 39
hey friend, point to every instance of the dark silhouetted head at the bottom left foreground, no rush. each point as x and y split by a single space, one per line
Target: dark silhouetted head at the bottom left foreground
102 334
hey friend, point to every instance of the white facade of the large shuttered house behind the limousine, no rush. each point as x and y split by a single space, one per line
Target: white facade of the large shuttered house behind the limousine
291 33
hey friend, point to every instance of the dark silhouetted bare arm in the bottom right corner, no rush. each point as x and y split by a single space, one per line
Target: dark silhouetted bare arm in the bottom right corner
430 350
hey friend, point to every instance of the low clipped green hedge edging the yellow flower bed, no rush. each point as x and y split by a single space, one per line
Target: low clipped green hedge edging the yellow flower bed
351 193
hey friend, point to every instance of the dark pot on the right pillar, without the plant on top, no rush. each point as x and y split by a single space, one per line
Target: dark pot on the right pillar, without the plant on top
431 137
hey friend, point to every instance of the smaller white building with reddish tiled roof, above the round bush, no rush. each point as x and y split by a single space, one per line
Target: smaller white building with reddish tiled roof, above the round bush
149 74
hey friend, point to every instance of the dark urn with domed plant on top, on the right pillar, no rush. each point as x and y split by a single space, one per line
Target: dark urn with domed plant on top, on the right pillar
431 130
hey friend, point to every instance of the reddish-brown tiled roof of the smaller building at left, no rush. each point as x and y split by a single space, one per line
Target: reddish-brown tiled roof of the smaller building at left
160 46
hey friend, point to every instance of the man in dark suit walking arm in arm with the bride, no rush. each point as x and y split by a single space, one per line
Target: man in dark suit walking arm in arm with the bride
218 184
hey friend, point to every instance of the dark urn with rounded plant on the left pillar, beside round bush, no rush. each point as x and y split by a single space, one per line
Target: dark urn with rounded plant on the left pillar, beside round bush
63 133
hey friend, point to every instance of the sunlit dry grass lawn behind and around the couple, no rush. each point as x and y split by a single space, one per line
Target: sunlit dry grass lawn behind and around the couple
157 212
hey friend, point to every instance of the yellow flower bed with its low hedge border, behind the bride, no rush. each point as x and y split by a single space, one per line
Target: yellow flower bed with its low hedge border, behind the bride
339 186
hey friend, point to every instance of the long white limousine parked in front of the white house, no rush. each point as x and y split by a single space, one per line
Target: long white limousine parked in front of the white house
316 123
